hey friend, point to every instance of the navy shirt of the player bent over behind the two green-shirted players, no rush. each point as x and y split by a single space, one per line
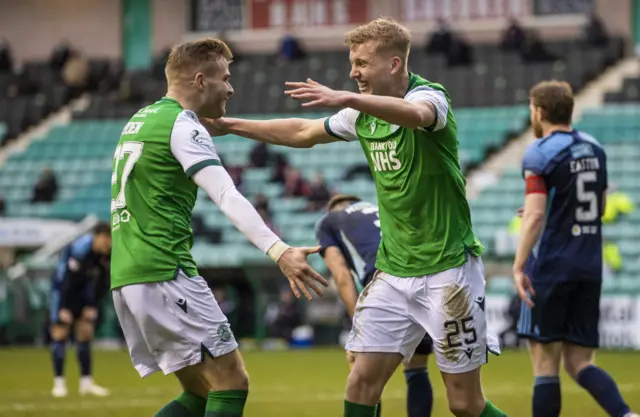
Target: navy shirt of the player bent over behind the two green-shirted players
355 230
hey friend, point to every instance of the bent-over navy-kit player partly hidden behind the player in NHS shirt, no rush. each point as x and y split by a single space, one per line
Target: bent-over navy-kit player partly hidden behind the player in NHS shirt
349 236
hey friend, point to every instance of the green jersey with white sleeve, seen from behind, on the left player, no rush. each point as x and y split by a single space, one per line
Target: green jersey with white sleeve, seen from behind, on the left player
152 193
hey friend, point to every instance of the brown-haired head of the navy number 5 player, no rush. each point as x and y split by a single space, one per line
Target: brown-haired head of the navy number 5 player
555 98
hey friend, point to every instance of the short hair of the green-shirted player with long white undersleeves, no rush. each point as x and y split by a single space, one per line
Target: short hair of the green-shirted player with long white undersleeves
190 56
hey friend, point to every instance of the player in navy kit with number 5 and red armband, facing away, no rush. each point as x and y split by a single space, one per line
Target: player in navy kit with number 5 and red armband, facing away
558 264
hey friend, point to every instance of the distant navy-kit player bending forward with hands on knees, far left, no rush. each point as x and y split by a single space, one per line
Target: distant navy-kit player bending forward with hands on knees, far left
79 283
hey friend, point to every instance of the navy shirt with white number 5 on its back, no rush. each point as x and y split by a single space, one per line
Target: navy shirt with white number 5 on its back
573 166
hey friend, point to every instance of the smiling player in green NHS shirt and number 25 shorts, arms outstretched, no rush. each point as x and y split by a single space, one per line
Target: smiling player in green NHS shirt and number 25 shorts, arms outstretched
430 276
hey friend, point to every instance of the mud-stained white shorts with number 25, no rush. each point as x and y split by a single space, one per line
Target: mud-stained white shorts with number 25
393 314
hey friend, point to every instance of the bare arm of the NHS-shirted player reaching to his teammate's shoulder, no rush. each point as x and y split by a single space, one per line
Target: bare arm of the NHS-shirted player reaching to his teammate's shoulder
295 133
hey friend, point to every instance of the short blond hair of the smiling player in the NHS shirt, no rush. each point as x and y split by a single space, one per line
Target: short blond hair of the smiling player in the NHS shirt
390 35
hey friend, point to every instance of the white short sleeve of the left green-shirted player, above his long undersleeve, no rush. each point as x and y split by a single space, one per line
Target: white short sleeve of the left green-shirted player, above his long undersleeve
191 144
